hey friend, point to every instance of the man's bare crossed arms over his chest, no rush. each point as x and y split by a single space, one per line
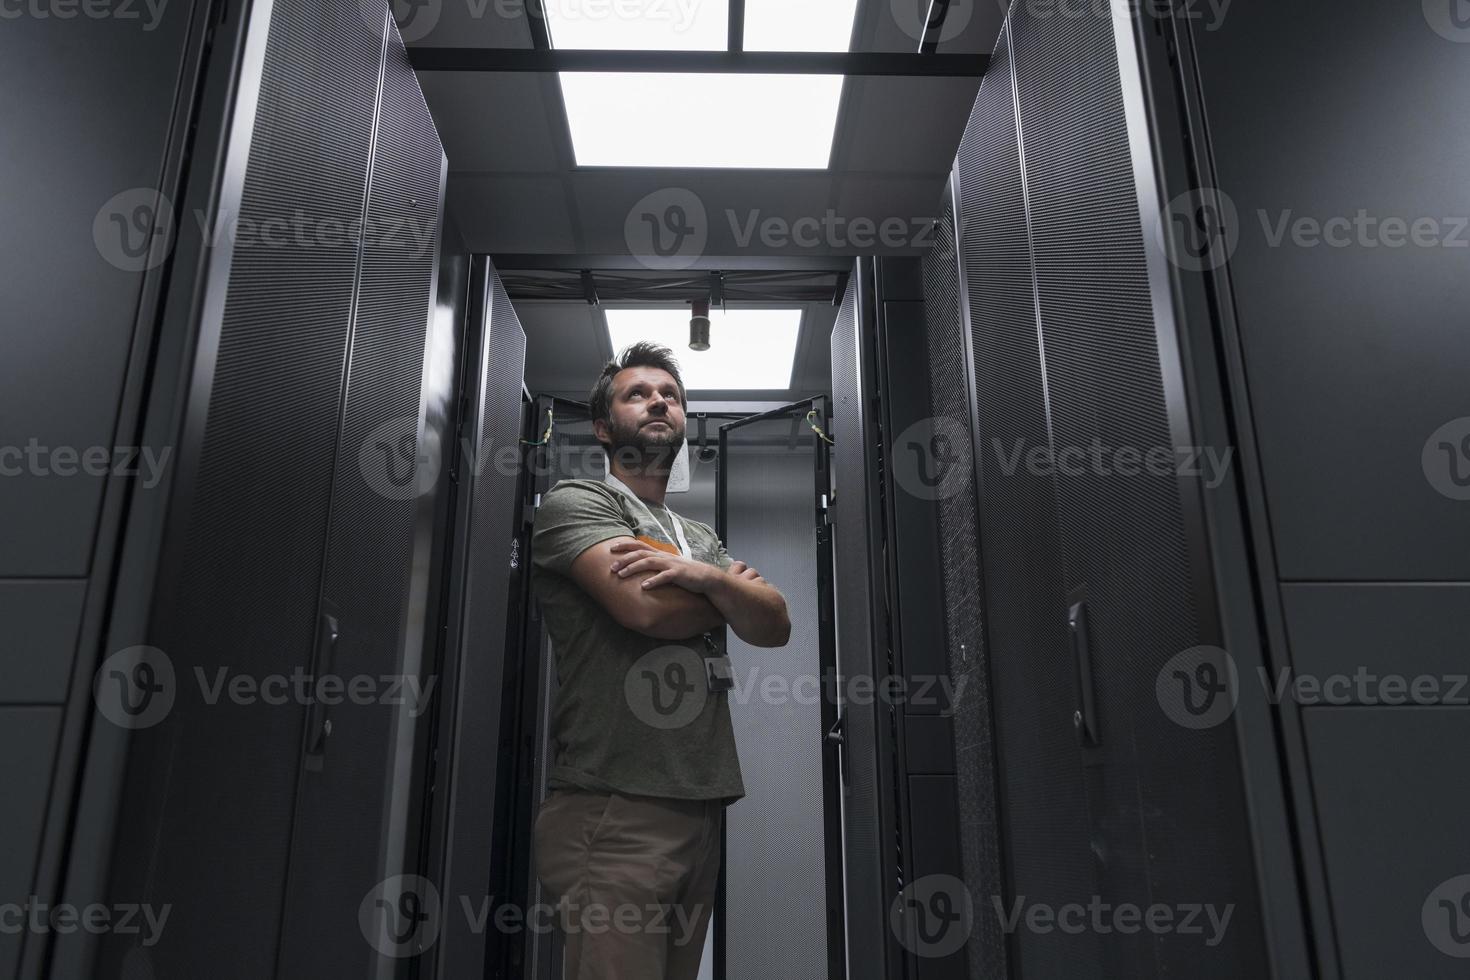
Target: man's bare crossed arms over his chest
671 597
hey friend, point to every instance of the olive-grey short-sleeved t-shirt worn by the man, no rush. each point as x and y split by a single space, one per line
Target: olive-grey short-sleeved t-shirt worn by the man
634 715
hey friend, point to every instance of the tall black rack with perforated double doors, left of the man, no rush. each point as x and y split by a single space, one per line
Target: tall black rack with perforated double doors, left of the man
251 556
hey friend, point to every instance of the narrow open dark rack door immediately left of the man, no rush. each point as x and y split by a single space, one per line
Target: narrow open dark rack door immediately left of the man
476 777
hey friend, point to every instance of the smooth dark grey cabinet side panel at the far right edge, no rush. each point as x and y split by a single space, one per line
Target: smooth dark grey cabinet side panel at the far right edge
1305 356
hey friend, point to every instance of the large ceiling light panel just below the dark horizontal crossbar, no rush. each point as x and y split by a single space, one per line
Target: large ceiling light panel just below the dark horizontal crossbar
662 120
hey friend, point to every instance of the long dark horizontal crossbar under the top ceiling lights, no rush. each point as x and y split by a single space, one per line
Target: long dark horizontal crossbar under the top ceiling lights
734 62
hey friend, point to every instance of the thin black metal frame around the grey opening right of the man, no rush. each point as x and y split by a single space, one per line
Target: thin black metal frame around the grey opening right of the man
827 641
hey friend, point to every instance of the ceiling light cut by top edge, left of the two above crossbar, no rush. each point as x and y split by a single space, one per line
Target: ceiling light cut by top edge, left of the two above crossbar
640 26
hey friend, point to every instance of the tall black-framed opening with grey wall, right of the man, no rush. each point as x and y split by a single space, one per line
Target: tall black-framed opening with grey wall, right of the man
781 898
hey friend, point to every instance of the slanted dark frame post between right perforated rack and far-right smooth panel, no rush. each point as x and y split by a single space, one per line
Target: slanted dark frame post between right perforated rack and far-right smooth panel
1290 860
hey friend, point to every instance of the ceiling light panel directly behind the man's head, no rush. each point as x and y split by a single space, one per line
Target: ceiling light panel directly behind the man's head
750 350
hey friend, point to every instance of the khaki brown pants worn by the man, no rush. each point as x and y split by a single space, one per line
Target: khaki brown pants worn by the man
634 882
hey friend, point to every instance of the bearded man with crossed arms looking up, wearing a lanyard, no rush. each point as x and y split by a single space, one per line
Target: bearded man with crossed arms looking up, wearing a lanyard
645 756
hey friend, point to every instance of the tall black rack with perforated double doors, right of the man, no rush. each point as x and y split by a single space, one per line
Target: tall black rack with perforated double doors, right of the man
1093 583
